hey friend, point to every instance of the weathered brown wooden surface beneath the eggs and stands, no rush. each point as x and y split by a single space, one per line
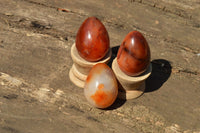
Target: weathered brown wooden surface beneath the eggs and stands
36 94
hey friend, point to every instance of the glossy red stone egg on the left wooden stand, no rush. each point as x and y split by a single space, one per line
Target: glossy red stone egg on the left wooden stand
92 40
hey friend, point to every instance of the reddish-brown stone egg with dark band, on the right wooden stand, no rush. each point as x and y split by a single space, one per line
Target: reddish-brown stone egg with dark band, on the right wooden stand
133 56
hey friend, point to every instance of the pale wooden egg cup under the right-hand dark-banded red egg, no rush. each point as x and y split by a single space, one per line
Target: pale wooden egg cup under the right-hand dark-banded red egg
130 87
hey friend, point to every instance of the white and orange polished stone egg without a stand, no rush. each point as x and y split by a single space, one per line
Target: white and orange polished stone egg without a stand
101 86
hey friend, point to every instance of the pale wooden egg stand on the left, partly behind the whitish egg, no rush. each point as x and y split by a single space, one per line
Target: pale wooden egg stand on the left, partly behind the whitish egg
81 67
